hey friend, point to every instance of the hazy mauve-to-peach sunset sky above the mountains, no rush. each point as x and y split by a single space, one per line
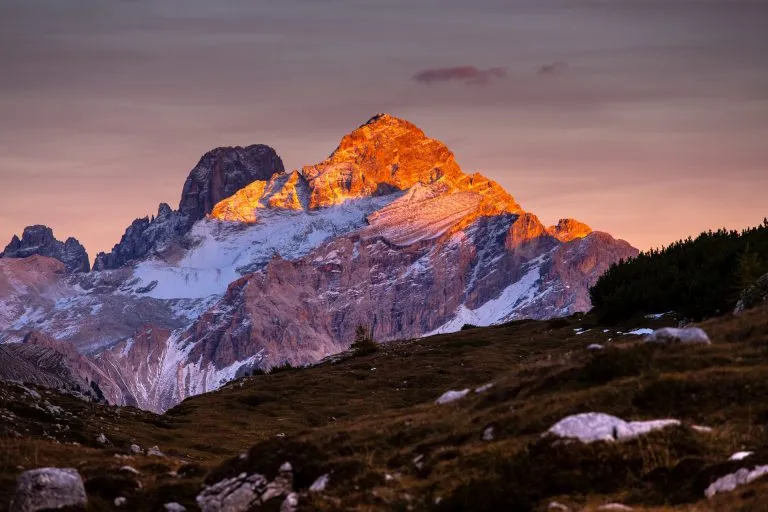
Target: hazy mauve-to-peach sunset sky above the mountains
647 119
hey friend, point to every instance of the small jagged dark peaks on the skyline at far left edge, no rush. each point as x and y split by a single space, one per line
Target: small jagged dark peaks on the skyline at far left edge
39 240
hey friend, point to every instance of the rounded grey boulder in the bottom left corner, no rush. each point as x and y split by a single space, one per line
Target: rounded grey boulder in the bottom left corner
48 488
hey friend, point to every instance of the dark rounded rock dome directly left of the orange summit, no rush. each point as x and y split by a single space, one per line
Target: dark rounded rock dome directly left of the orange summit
222 172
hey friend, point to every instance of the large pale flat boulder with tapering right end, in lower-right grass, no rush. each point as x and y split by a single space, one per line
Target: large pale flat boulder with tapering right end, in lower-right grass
594 426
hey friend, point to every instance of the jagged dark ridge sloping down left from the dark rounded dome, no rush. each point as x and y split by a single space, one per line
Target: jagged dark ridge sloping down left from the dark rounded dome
144 237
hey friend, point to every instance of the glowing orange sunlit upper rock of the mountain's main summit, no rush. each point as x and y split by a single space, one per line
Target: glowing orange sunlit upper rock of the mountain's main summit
383 156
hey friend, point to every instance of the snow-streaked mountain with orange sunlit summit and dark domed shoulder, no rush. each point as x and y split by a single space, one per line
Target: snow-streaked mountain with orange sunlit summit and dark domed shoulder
388 232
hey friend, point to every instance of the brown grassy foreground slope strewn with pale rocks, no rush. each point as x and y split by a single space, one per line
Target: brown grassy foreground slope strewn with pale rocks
368 417
